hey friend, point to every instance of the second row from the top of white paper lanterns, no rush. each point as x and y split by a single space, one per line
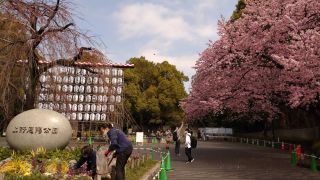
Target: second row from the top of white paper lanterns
79 79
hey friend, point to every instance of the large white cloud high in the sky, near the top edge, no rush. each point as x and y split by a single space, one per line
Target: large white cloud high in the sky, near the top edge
137 20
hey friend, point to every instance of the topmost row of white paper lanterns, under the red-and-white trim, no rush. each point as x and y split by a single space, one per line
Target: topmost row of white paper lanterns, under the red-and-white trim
78 71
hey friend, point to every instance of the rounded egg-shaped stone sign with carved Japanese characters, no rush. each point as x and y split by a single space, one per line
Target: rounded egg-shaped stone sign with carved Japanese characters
39 128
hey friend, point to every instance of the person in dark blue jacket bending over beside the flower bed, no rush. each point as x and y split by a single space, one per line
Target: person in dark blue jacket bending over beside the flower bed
119 143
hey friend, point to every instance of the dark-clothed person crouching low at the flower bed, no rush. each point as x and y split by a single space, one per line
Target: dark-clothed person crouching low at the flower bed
88 155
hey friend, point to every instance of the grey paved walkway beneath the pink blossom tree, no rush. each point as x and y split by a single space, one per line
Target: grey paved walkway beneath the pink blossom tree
226 160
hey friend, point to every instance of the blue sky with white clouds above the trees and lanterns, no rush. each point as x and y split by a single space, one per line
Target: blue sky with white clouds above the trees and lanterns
176 31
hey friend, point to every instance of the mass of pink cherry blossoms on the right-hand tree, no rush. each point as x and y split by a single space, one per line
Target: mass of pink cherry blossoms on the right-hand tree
271 55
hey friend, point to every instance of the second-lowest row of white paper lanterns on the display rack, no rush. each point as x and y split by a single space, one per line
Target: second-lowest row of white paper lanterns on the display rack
76 107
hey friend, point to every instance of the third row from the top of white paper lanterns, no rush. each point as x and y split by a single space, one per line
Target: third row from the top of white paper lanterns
85 89
